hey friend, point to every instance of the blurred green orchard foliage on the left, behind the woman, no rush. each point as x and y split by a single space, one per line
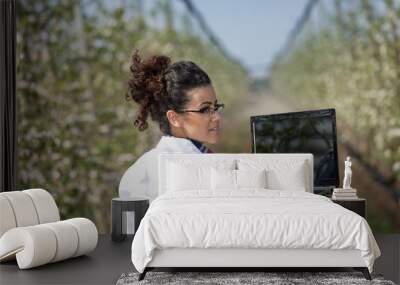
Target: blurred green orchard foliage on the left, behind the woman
76 135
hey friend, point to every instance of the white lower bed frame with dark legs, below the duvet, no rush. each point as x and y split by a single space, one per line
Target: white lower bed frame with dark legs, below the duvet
237 259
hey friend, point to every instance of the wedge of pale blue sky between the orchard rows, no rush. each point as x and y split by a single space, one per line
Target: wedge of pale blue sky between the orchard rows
252 31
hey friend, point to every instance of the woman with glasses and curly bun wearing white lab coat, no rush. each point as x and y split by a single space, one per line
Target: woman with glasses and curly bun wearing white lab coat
181 99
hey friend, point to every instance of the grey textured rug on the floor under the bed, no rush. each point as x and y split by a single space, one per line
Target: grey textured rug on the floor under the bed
229 278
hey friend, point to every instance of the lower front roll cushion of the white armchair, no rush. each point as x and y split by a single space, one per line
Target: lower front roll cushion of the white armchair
40 244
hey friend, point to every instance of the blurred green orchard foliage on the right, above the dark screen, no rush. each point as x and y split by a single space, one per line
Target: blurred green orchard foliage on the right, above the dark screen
352 64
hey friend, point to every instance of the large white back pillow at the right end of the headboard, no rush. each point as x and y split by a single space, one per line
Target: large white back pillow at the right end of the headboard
281 174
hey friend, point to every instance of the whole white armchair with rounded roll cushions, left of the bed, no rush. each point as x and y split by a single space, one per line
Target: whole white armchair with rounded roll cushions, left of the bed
31 230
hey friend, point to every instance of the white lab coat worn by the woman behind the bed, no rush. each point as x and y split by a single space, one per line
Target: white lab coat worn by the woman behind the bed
141 178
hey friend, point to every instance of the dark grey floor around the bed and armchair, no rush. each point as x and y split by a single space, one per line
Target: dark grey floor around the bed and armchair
110 260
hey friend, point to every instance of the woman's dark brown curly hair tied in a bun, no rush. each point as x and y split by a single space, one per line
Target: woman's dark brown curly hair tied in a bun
157 86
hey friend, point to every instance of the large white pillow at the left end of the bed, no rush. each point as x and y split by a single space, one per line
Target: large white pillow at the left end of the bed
181 177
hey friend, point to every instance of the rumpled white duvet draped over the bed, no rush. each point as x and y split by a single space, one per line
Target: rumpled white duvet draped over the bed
250 219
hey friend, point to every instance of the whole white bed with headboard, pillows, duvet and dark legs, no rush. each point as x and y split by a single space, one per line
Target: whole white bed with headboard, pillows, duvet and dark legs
200 223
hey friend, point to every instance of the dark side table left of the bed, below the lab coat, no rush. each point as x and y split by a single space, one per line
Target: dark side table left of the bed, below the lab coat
123 212
